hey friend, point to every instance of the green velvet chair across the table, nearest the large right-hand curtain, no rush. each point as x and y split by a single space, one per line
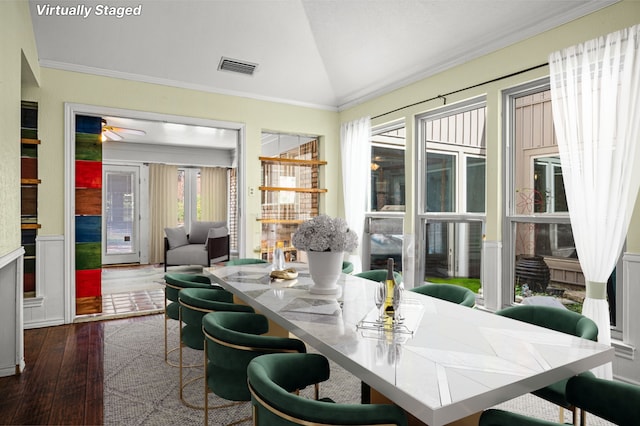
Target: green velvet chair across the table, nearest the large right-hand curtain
565 321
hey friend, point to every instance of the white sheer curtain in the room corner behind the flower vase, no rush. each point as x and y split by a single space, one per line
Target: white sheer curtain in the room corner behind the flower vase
355 147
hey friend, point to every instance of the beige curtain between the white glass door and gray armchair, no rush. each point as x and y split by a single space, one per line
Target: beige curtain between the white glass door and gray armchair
163 201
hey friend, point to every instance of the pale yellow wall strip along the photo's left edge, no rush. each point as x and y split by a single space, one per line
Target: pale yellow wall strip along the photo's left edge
16 42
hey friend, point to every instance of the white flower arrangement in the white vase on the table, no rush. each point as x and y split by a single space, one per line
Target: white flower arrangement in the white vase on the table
324 233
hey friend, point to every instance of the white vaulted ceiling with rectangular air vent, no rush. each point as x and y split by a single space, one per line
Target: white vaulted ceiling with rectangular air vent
324 53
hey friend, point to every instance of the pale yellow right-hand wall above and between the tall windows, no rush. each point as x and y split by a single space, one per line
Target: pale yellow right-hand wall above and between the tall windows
520 56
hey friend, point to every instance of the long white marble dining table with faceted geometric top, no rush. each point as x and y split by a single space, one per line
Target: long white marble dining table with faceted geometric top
445 362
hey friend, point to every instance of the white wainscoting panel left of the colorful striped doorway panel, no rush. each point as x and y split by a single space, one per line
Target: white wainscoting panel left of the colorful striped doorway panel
47 308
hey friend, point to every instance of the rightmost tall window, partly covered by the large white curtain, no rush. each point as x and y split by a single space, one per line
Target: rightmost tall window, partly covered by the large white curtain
539 227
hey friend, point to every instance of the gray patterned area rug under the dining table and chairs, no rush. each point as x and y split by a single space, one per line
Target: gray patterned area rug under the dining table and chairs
141 389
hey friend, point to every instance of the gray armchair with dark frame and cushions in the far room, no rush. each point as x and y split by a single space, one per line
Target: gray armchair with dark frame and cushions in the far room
206 243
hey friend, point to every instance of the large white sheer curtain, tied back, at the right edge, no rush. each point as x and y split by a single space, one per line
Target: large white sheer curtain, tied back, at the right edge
595 92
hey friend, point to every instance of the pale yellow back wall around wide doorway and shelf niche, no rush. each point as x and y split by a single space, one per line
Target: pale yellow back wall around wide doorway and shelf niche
58 87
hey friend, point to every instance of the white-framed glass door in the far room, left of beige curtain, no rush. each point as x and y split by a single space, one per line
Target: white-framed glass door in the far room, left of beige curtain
120 215
